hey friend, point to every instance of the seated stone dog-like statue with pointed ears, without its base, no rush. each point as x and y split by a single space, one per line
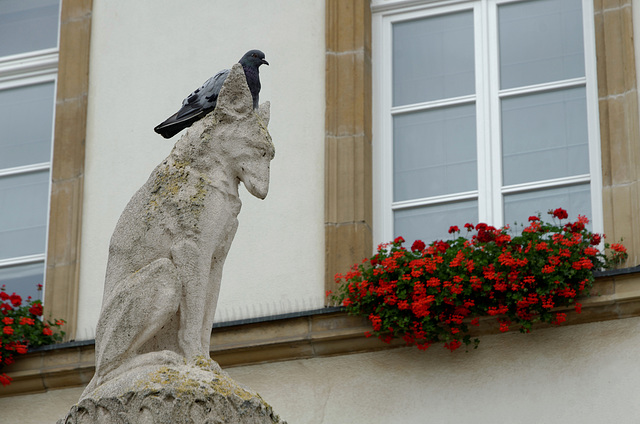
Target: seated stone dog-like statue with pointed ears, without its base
170 243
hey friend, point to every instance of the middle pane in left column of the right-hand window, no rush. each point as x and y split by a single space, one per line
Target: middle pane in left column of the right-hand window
434 152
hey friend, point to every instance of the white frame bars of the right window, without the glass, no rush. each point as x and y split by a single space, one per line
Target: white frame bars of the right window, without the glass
490 191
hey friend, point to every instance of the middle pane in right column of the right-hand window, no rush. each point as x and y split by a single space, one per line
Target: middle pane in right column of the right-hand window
544 136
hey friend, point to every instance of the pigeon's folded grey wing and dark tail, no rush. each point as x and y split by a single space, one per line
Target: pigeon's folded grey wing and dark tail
195 106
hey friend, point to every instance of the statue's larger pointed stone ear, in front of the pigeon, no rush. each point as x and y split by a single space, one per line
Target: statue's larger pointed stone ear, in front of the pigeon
235 97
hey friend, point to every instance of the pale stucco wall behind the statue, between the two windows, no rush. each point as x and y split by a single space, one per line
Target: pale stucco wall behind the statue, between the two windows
146 56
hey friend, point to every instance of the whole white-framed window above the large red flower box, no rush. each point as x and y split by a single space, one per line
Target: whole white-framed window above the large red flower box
484 111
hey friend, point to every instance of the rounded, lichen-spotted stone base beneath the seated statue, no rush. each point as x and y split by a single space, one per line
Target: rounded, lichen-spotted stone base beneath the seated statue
172 395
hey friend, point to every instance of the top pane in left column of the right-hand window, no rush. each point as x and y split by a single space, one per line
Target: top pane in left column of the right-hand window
433 58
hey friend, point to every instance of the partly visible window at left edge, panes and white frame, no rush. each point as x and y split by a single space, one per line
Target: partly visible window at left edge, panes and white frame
28 66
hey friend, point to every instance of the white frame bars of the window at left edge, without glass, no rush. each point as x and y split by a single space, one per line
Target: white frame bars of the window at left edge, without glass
23 70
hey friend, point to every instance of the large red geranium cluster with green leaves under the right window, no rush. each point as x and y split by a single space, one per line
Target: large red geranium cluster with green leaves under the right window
430 294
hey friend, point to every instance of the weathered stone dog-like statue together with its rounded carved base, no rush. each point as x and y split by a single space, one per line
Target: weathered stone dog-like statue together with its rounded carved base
164 270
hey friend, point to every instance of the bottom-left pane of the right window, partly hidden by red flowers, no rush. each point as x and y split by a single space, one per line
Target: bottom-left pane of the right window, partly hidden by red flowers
429 223
